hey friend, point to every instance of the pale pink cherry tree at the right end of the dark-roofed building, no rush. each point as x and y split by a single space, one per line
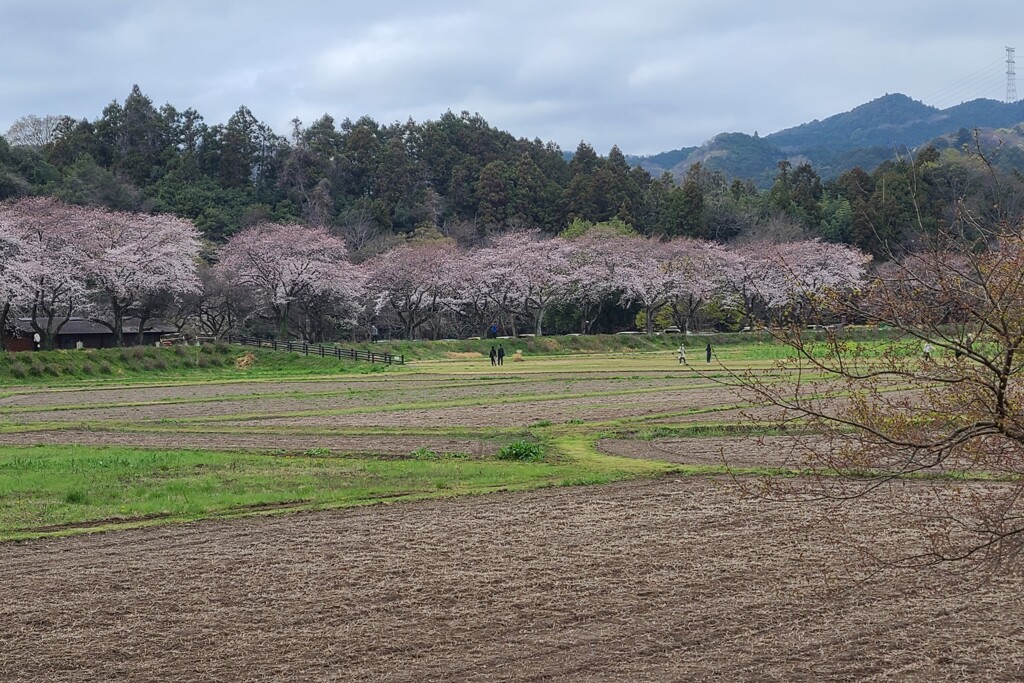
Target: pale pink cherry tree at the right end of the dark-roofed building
136 264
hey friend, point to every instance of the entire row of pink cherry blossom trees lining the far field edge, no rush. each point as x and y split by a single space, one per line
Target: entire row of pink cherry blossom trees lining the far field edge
297 282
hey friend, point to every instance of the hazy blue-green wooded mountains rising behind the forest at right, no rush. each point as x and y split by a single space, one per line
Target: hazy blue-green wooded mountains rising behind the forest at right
866 137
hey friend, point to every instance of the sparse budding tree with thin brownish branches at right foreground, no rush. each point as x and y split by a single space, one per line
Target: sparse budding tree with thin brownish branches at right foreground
937 407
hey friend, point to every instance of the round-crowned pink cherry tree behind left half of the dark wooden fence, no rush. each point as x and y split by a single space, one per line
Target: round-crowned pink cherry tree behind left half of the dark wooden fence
286 267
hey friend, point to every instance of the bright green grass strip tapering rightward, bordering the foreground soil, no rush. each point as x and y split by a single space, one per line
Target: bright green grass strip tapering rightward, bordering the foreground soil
63 491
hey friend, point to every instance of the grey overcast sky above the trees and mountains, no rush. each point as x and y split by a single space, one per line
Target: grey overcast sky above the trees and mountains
647 75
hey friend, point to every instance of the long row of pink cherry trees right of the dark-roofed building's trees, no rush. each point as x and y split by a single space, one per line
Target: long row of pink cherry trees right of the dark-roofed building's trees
300 280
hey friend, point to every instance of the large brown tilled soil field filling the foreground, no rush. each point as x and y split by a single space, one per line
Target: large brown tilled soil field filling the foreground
665 581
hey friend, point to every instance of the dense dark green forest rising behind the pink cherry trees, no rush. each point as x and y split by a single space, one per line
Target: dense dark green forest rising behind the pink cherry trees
377 185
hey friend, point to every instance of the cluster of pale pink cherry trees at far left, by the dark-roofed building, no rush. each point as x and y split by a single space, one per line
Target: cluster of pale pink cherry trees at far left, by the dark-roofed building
59 262
